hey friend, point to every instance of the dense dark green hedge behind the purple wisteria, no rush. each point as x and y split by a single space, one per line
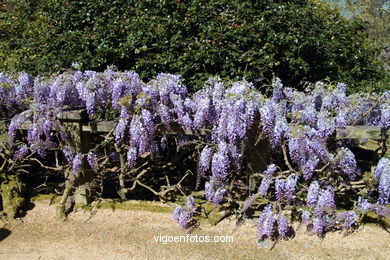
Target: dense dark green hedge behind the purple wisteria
297 40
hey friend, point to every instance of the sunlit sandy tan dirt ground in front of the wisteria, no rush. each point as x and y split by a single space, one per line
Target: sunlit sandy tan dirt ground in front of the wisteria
131 234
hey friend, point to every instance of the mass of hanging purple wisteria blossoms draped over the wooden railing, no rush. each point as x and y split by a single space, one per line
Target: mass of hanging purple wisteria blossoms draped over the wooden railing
299 127
